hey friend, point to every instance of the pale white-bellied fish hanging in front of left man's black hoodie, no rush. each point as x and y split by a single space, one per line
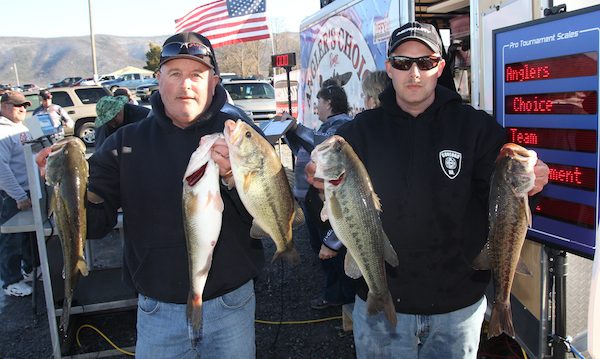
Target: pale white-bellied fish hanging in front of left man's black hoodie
202 217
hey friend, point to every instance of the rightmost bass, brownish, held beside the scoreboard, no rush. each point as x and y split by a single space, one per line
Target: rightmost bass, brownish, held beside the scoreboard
509 217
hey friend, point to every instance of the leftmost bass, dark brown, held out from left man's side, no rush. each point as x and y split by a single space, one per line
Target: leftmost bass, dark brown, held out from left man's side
67 176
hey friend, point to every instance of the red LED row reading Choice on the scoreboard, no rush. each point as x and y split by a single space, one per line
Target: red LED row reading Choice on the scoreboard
559 103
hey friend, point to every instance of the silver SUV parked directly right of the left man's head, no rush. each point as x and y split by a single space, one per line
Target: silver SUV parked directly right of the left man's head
253 96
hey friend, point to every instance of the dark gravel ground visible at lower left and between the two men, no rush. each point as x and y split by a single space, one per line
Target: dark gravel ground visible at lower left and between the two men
283 295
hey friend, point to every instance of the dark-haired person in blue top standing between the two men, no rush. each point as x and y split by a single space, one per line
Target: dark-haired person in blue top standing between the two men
332 109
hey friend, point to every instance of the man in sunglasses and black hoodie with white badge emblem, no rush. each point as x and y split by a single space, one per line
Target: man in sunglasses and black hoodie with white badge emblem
434 211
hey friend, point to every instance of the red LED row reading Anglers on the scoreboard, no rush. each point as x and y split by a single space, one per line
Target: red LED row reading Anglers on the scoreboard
584 64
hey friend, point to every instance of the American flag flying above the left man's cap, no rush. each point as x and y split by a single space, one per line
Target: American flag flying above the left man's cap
226 22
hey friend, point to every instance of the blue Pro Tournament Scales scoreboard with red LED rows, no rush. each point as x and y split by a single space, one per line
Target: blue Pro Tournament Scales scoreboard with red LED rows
546 96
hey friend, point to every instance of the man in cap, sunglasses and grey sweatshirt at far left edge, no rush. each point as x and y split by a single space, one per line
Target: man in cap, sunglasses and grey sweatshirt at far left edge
16 263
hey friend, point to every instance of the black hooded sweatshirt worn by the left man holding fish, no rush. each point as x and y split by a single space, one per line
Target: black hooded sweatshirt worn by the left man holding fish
145 179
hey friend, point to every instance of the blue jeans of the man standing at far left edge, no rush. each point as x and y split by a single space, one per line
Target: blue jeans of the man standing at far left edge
14 247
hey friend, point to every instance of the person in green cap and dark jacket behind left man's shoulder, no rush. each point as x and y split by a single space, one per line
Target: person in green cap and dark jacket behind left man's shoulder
113 113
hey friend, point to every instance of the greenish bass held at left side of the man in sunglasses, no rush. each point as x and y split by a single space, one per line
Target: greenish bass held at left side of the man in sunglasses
352 208
